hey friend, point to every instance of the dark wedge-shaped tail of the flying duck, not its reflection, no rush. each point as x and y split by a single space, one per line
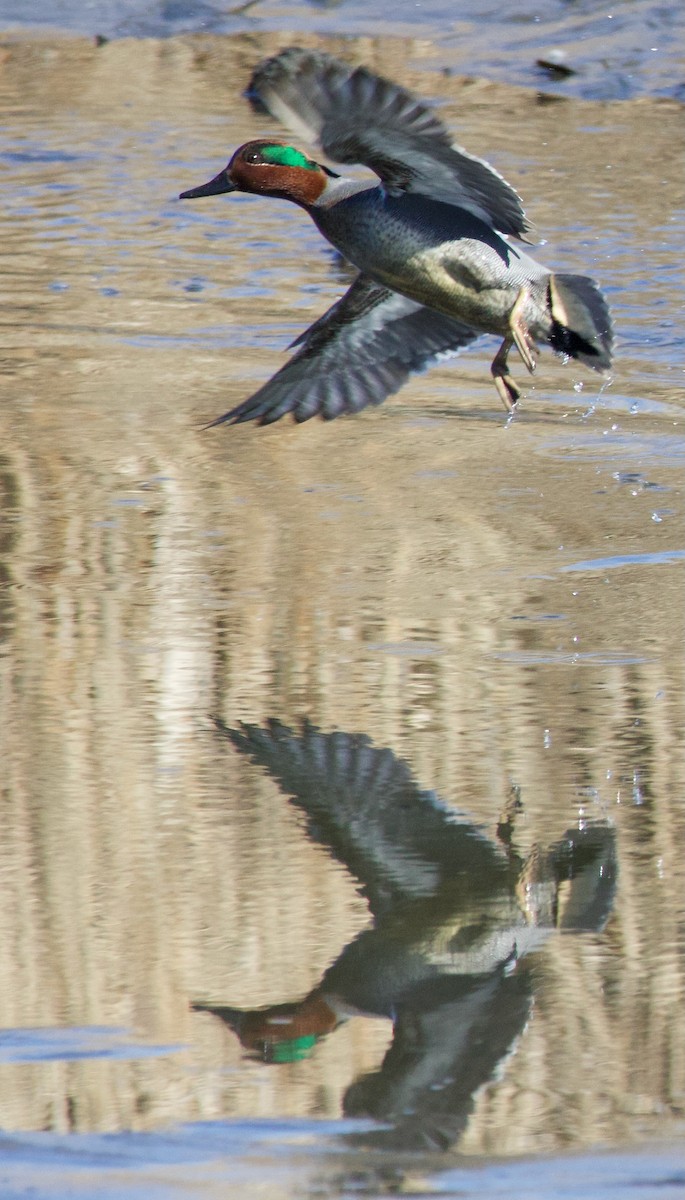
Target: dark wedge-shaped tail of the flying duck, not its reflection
581 321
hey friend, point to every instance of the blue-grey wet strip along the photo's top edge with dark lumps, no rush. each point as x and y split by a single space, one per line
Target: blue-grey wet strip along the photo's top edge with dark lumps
586 49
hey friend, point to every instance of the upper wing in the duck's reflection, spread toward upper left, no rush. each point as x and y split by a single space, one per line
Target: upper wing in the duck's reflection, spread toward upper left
364 806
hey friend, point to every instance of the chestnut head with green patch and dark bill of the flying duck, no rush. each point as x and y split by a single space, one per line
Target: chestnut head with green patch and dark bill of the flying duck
268 169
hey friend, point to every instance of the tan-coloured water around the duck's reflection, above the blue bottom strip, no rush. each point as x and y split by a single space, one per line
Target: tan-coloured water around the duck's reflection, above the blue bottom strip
501 605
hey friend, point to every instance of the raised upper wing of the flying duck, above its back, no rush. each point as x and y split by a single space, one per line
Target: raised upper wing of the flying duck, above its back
357 117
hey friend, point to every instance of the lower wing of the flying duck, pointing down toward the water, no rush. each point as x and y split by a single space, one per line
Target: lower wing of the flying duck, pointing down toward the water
358 353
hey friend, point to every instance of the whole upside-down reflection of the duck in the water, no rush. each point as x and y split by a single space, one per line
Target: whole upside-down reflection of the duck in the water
455 915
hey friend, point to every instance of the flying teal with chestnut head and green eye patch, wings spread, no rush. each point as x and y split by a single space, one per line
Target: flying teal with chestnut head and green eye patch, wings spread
430 237
